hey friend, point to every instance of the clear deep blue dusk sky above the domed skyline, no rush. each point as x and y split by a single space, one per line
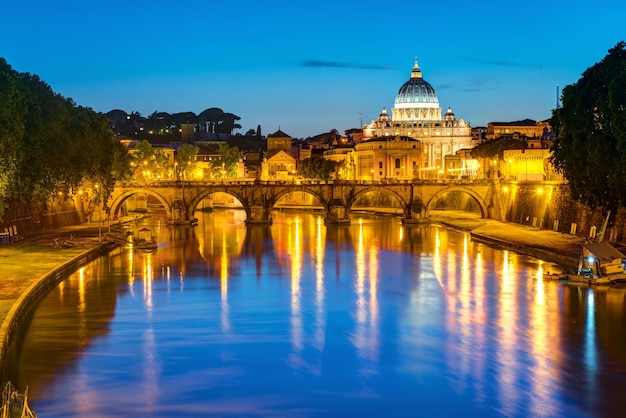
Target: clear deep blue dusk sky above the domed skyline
308 67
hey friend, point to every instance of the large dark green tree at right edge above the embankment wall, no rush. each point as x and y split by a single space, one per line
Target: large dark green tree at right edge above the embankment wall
590 127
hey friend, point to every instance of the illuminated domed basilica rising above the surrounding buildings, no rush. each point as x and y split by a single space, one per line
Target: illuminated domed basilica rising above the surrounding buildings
416 114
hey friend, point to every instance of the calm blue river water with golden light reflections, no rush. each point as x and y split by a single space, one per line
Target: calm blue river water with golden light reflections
303 320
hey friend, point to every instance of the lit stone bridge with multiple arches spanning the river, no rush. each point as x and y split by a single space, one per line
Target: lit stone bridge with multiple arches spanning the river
181 198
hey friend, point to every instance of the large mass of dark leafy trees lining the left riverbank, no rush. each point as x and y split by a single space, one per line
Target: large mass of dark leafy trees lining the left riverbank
49 145
